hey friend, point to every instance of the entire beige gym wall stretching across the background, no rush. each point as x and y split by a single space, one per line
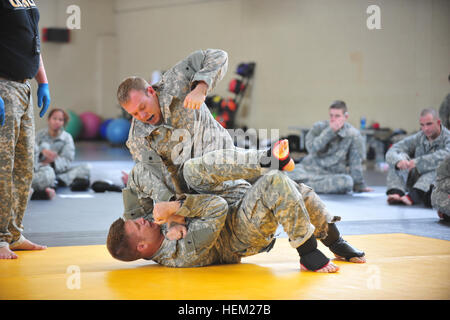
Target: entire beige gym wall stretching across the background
308 53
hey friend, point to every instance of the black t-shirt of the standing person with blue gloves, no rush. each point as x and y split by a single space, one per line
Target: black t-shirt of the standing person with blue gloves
19 39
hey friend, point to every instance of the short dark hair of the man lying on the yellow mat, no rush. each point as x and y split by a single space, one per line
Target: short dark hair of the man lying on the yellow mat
119 243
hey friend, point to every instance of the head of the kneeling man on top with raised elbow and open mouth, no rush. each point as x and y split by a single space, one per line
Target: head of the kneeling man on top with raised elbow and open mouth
140 100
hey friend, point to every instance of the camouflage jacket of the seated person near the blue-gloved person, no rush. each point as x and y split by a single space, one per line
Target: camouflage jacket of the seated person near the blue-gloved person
62 144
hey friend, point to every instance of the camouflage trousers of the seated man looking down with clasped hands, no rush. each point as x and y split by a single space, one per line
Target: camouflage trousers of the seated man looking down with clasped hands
405 181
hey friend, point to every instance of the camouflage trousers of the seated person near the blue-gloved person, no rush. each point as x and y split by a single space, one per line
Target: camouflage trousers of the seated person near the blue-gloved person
45 176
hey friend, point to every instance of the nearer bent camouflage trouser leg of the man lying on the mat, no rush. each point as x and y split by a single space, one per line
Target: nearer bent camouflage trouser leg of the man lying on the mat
273 200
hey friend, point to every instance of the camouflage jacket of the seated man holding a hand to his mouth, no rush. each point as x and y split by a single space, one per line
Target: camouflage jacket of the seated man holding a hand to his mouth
335 152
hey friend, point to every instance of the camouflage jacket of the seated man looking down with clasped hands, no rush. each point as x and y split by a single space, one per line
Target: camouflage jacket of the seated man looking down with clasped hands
428 155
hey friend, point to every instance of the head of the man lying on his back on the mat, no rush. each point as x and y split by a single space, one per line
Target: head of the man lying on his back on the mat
133 239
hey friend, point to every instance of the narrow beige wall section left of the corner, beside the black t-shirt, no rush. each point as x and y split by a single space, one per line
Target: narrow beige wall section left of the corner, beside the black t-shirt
82 73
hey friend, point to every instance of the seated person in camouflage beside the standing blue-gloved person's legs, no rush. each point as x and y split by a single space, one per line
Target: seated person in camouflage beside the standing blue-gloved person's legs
54 153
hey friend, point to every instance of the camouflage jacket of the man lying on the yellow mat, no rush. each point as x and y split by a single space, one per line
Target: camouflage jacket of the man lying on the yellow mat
210 238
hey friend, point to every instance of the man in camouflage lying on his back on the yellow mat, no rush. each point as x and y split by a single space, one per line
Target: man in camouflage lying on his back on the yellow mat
211 236
